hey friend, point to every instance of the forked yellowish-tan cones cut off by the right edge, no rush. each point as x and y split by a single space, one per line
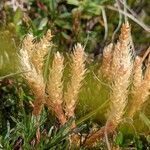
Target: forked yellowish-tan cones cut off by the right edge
141 87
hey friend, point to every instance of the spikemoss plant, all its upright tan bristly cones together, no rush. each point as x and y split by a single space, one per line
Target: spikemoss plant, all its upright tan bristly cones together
118 66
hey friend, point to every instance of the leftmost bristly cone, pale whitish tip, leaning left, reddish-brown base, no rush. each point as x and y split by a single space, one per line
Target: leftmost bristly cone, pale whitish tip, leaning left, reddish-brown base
34 80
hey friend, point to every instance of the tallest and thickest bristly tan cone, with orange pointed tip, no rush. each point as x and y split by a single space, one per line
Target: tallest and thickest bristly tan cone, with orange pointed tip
121 72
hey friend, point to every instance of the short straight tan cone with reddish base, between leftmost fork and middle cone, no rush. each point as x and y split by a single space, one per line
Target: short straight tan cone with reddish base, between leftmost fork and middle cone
54 87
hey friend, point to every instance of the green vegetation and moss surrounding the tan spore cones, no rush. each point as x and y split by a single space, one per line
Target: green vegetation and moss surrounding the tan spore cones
94 24
